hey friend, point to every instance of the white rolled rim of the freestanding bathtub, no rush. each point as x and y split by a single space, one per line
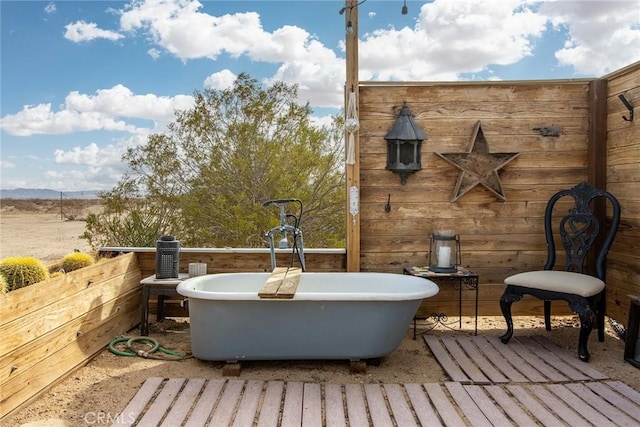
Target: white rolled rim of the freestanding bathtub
187 288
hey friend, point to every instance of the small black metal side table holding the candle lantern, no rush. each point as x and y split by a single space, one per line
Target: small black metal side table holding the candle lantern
460 279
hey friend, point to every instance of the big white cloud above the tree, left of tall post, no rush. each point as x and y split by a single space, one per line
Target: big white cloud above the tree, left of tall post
185 32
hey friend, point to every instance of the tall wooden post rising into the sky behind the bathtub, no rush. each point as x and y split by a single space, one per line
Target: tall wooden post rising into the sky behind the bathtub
352 171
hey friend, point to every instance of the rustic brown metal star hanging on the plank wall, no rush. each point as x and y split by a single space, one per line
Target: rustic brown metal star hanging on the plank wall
478 166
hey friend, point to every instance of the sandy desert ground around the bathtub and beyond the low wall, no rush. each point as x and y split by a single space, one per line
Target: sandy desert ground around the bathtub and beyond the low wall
108 382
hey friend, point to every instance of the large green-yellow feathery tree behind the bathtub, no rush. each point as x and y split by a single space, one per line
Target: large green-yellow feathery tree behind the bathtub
208 176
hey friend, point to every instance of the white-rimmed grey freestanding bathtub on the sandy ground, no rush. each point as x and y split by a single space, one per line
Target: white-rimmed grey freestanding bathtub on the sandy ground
351 316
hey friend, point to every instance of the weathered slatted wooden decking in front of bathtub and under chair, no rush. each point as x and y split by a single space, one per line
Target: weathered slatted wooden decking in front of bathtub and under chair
556 392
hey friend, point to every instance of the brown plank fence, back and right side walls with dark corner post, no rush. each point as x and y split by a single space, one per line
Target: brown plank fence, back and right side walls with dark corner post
500 238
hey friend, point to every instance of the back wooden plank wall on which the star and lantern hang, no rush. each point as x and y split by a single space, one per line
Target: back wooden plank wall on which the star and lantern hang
498 238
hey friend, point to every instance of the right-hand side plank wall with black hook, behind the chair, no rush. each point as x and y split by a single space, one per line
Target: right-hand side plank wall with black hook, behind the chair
623 180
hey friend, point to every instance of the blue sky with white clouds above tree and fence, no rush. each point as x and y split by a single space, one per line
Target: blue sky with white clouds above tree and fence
81 81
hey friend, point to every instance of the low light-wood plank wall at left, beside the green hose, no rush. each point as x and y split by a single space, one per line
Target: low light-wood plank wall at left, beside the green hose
53 327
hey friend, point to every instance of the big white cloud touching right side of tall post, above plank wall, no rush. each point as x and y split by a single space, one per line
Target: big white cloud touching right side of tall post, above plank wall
450 38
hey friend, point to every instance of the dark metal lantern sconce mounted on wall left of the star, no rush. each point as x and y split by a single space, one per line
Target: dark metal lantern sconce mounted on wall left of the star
404 145
